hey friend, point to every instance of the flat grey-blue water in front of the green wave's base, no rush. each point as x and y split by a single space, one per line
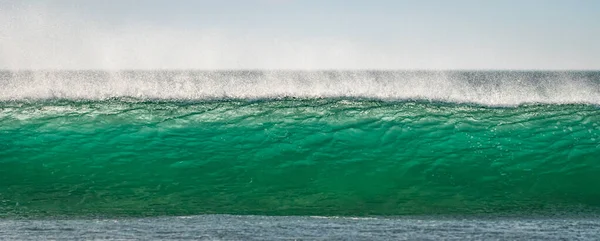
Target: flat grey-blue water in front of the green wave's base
225 227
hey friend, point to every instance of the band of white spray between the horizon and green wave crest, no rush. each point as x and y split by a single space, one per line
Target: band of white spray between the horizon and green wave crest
494 88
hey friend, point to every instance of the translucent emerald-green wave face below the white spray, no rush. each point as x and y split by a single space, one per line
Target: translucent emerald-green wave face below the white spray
295 157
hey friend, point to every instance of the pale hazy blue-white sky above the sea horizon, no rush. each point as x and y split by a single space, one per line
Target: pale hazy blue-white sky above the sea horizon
300 34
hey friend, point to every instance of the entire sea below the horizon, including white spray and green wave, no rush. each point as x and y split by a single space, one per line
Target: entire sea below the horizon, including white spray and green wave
461 153
